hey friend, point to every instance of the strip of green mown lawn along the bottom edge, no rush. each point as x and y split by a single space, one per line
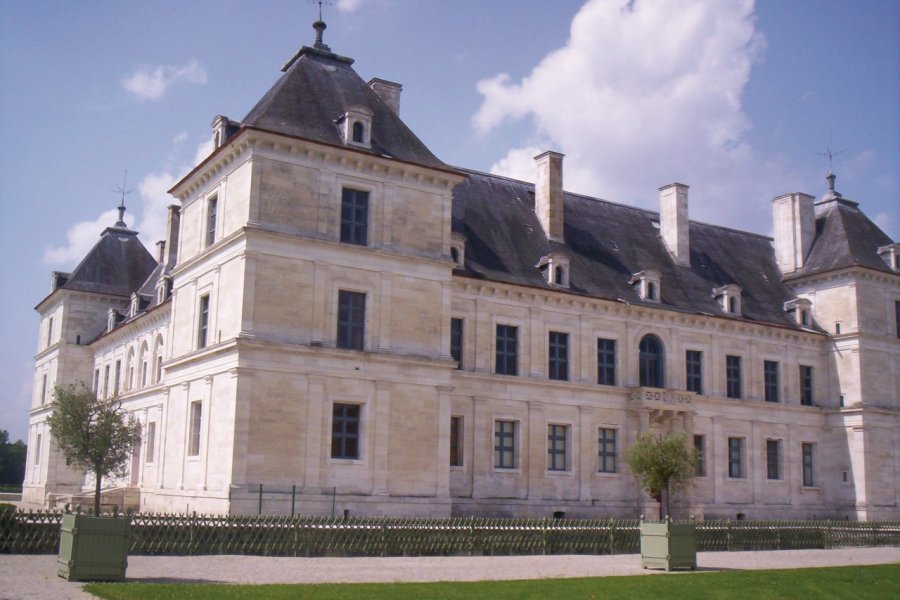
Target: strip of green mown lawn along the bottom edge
880 581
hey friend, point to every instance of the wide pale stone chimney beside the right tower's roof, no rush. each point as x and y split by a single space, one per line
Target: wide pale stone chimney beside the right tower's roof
794 226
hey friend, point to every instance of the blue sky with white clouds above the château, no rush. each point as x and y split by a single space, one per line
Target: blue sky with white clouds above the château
735 99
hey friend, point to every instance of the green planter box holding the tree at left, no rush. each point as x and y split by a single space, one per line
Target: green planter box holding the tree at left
93 548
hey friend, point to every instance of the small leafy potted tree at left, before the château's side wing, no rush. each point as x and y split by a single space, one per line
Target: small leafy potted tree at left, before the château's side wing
94 434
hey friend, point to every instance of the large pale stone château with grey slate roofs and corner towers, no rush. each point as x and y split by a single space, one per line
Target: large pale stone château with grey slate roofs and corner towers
337 312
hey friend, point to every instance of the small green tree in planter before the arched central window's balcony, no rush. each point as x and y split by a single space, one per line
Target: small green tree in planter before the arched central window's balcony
662 464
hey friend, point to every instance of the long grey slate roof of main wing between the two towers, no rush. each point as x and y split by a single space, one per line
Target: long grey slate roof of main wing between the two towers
607 243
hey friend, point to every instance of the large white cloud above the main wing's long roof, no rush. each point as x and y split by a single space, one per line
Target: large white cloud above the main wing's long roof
645 93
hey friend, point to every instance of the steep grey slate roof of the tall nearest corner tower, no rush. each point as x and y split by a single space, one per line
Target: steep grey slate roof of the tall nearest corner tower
316 89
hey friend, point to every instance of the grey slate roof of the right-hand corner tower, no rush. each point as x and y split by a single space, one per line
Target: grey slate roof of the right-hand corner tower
845 237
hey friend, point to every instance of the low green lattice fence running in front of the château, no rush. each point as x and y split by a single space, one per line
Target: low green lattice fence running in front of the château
181 535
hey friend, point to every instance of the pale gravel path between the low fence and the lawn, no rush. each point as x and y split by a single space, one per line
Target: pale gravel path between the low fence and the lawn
28 577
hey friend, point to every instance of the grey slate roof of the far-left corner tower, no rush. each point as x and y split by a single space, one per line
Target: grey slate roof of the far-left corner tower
118 265
